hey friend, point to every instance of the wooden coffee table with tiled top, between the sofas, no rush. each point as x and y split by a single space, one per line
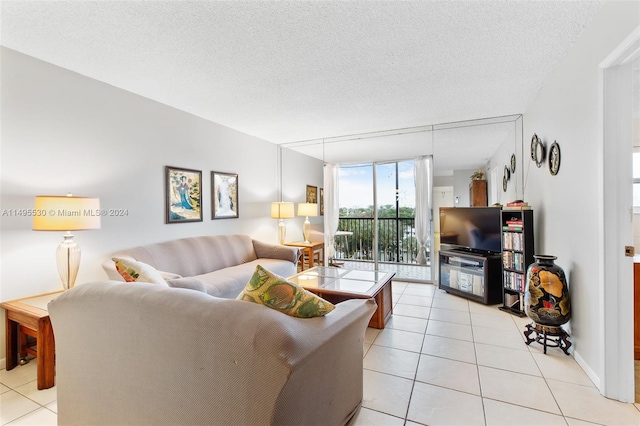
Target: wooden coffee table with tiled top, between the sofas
337 285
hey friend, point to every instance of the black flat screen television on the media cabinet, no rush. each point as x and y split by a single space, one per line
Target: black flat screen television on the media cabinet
473 229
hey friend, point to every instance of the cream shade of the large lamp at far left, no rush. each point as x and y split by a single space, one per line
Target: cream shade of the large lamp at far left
66 213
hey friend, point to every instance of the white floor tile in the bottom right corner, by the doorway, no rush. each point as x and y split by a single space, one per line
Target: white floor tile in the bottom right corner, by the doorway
586 403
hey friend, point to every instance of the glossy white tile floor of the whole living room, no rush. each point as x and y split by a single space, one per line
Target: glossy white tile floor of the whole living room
441 360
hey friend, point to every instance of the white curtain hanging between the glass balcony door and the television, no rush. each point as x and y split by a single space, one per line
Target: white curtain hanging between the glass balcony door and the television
423 173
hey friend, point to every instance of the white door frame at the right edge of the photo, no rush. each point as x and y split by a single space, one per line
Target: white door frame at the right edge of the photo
616 280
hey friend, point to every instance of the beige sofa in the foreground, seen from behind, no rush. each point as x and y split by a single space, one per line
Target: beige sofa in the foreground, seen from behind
140 353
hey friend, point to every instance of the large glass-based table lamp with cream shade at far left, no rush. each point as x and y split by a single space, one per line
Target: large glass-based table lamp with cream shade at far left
66 213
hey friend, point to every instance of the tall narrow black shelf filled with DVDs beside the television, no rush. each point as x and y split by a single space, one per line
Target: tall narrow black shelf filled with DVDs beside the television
517 255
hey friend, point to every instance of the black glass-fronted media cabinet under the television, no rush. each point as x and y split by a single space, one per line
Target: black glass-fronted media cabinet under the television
471 275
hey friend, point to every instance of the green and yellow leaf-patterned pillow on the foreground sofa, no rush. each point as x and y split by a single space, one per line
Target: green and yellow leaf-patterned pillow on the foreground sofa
273 291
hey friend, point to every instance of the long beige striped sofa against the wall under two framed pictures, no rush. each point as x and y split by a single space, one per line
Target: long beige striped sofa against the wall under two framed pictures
219 265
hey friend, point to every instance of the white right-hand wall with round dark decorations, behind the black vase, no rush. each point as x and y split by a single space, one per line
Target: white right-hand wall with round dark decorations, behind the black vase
566 217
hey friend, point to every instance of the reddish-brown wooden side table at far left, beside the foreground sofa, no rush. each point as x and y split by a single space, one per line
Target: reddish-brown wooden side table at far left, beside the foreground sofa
29 317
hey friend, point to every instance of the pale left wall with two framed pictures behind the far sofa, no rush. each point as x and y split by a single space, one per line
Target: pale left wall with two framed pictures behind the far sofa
62 132
